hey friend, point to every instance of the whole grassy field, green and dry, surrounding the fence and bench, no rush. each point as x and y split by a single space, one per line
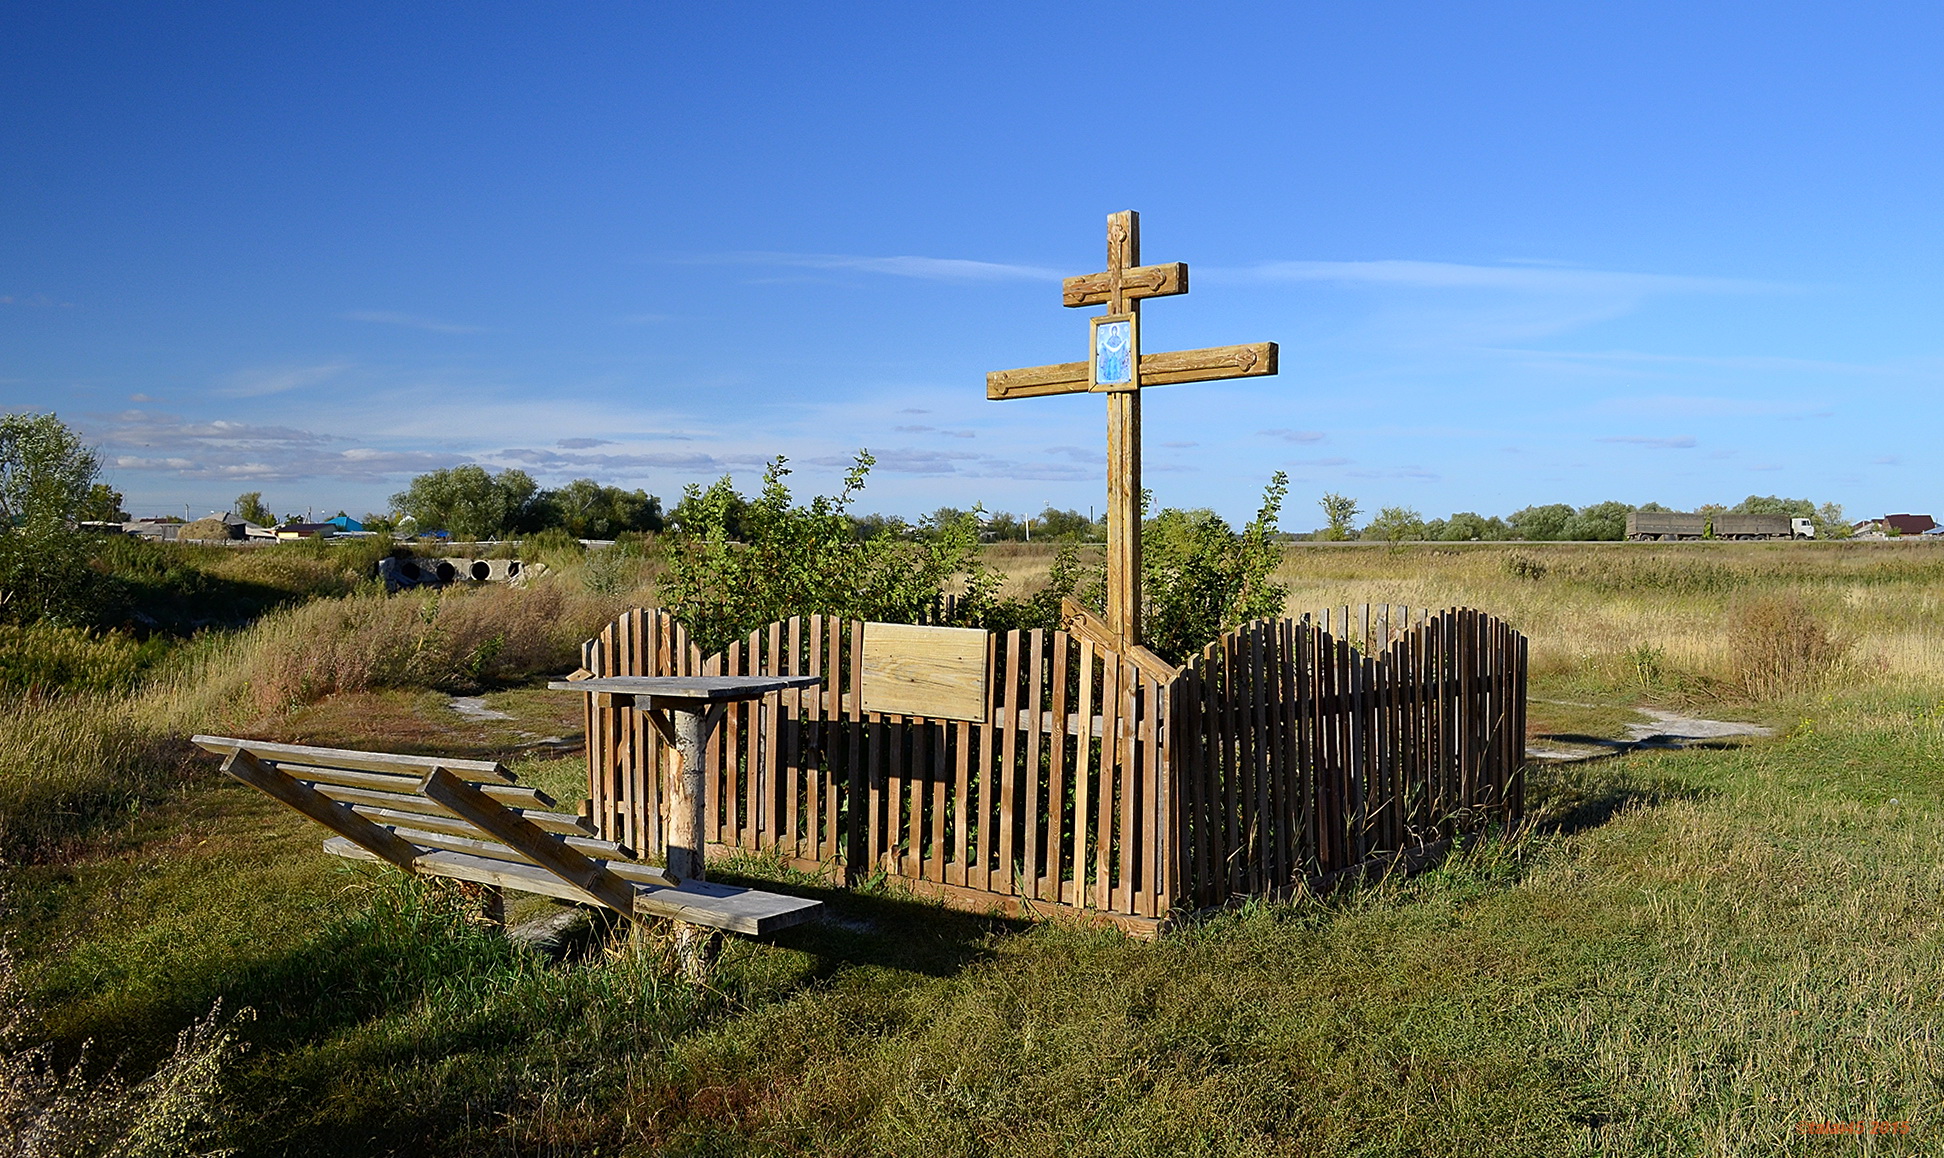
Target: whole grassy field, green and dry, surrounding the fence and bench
1686 951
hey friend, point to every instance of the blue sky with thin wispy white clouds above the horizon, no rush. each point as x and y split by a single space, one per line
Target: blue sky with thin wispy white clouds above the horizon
1513 254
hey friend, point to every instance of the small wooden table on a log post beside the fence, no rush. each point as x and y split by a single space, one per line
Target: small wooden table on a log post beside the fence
685 710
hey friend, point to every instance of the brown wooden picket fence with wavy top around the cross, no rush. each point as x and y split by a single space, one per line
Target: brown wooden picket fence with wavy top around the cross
1280 755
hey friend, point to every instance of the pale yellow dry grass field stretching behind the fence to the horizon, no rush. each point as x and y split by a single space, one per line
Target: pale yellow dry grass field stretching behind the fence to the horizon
1628 613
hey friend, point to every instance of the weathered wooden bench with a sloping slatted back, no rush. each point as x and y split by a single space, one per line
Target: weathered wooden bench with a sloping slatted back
469 821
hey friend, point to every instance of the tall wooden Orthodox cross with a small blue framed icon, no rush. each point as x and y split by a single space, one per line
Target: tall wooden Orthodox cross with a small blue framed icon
1119 370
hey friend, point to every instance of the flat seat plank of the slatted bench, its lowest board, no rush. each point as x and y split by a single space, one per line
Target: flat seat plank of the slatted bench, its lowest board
699 903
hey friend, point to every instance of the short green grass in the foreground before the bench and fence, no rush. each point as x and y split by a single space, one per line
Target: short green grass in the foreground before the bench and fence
1694 953
